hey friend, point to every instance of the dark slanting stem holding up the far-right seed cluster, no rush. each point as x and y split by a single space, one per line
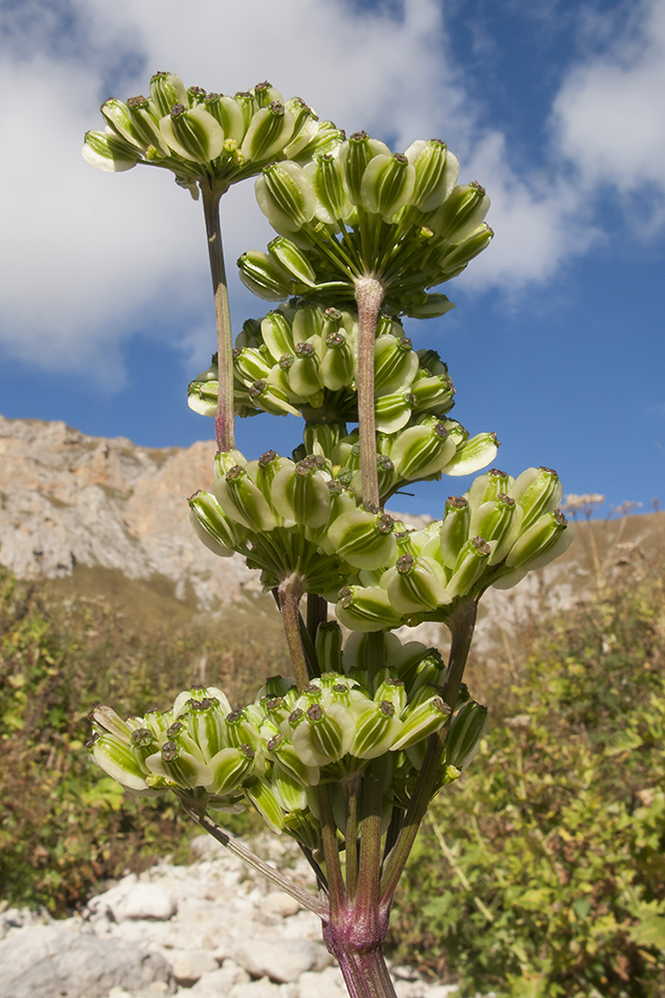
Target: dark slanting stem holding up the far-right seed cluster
461 628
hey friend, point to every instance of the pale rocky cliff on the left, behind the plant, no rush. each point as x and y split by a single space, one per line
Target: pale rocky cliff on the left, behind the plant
67 498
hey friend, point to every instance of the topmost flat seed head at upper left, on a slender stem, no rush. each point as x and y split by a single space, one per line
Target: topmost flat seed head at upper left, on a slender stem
206 137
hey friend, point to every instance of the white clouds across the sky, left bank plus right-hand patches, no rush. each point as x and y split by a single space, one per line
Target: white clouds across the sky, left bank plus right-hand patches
90 259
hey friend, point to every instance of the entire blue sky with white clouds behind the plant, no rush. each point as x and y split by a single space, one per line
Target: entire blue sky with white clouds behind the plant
558 109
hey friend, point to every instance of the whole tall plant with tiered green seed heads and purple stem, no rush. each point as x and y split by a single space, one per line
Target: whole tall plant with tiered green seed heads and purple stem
345 755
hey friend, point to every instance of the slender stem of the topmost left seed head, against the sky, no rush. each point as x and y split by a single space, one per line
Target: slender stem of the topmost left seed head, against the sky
224 418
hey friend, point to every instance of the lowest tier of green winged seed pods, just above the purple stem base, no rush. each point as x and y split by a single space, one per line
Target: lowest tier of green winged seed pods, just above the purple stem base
273 752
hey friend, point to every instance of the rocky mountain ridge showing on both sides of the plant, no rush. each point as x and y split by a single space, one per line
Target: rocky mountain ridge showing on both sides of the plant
87 508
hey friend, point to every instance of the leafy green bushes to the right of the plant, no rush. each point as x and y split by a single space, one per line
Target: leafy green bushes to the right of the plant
541 872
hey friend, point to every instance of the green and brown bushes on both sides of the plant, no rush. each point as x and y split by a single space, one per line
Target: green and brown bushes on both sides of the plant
540 873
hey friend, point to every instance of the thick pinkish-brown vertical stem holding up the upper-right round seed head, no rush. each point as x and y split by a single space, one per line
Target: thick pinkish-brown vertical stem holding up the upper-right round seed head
369 295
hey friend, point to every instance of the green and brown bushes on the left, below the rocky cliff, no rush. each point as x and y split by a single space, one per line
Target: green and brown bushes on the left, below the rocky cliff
63 828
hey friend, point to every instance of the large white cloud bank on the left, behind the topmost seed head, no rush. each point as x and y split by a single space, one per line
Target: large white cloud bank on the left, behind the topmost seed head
87 258
